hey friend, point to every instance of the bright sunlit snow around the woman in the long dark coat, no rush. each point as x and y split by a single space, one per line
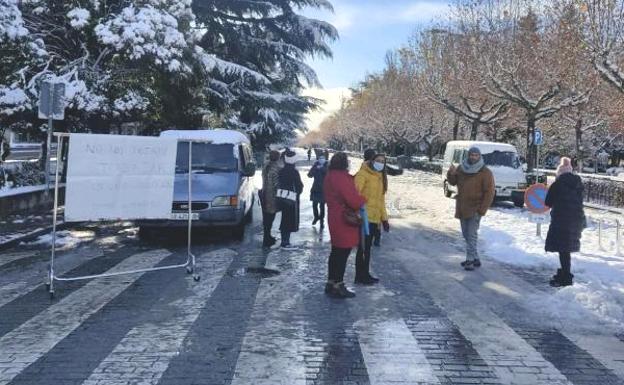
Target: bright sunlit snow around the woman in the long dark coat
507 236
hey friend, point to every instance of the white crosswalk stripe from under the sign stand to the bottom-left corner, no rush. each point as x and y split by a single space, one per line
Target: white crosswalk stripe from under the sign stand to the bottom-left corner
33 339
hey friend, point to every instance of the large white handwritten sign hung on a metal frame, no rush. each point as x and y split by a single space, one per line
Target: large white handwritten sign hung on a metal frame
113 177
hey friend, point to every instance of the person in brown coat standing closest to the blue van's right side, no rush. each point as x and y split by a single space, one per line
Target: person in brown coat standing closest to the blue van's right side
270 177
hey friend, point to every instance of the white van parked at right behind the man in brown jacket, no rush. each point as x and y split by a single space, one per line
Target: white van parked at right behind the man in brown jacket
501 158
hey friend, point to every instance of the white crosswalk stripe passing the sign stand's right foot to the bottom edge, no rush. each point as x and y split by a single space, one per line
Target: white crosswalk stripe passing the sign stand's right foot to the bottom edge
145 352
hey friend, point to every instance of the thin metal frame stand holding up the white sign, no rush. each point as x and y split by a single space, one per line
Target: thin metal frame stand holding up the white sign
189 265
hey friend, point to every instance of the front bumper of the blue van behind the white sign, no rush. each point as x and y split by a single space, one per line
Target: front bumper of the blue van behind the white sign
211 217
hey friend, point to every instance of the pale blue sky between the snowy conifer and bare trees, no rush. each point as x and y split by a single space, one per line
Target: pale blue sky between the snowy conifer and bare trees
368 29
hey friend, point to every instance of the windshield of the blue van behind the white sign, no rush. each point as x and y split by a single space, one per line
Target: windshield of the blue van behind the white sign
207 158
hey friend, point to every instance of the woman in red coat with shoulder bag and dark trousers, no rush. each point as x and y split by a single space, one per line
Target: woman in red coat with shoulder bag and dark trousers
340 195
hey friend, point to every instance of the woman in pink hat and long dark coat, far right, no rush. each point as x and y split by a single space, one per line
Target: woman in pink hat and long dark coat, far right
565 198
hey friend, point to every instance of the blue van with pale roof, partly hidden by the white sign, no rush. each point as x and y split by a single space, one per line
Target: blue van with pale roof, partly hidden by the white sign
222 190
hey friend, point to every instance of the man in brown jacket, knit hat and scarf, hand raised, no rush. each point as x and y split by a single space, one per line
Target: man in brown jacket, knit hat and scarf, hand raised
475 193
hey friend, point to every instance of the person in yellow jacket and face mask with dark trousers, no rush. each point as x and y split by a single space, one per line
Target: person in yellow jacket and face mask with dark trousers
372 183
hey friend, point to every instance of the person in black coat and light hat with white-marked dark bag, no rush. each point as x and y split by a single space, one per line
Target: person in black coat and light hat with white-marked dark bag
289 189
